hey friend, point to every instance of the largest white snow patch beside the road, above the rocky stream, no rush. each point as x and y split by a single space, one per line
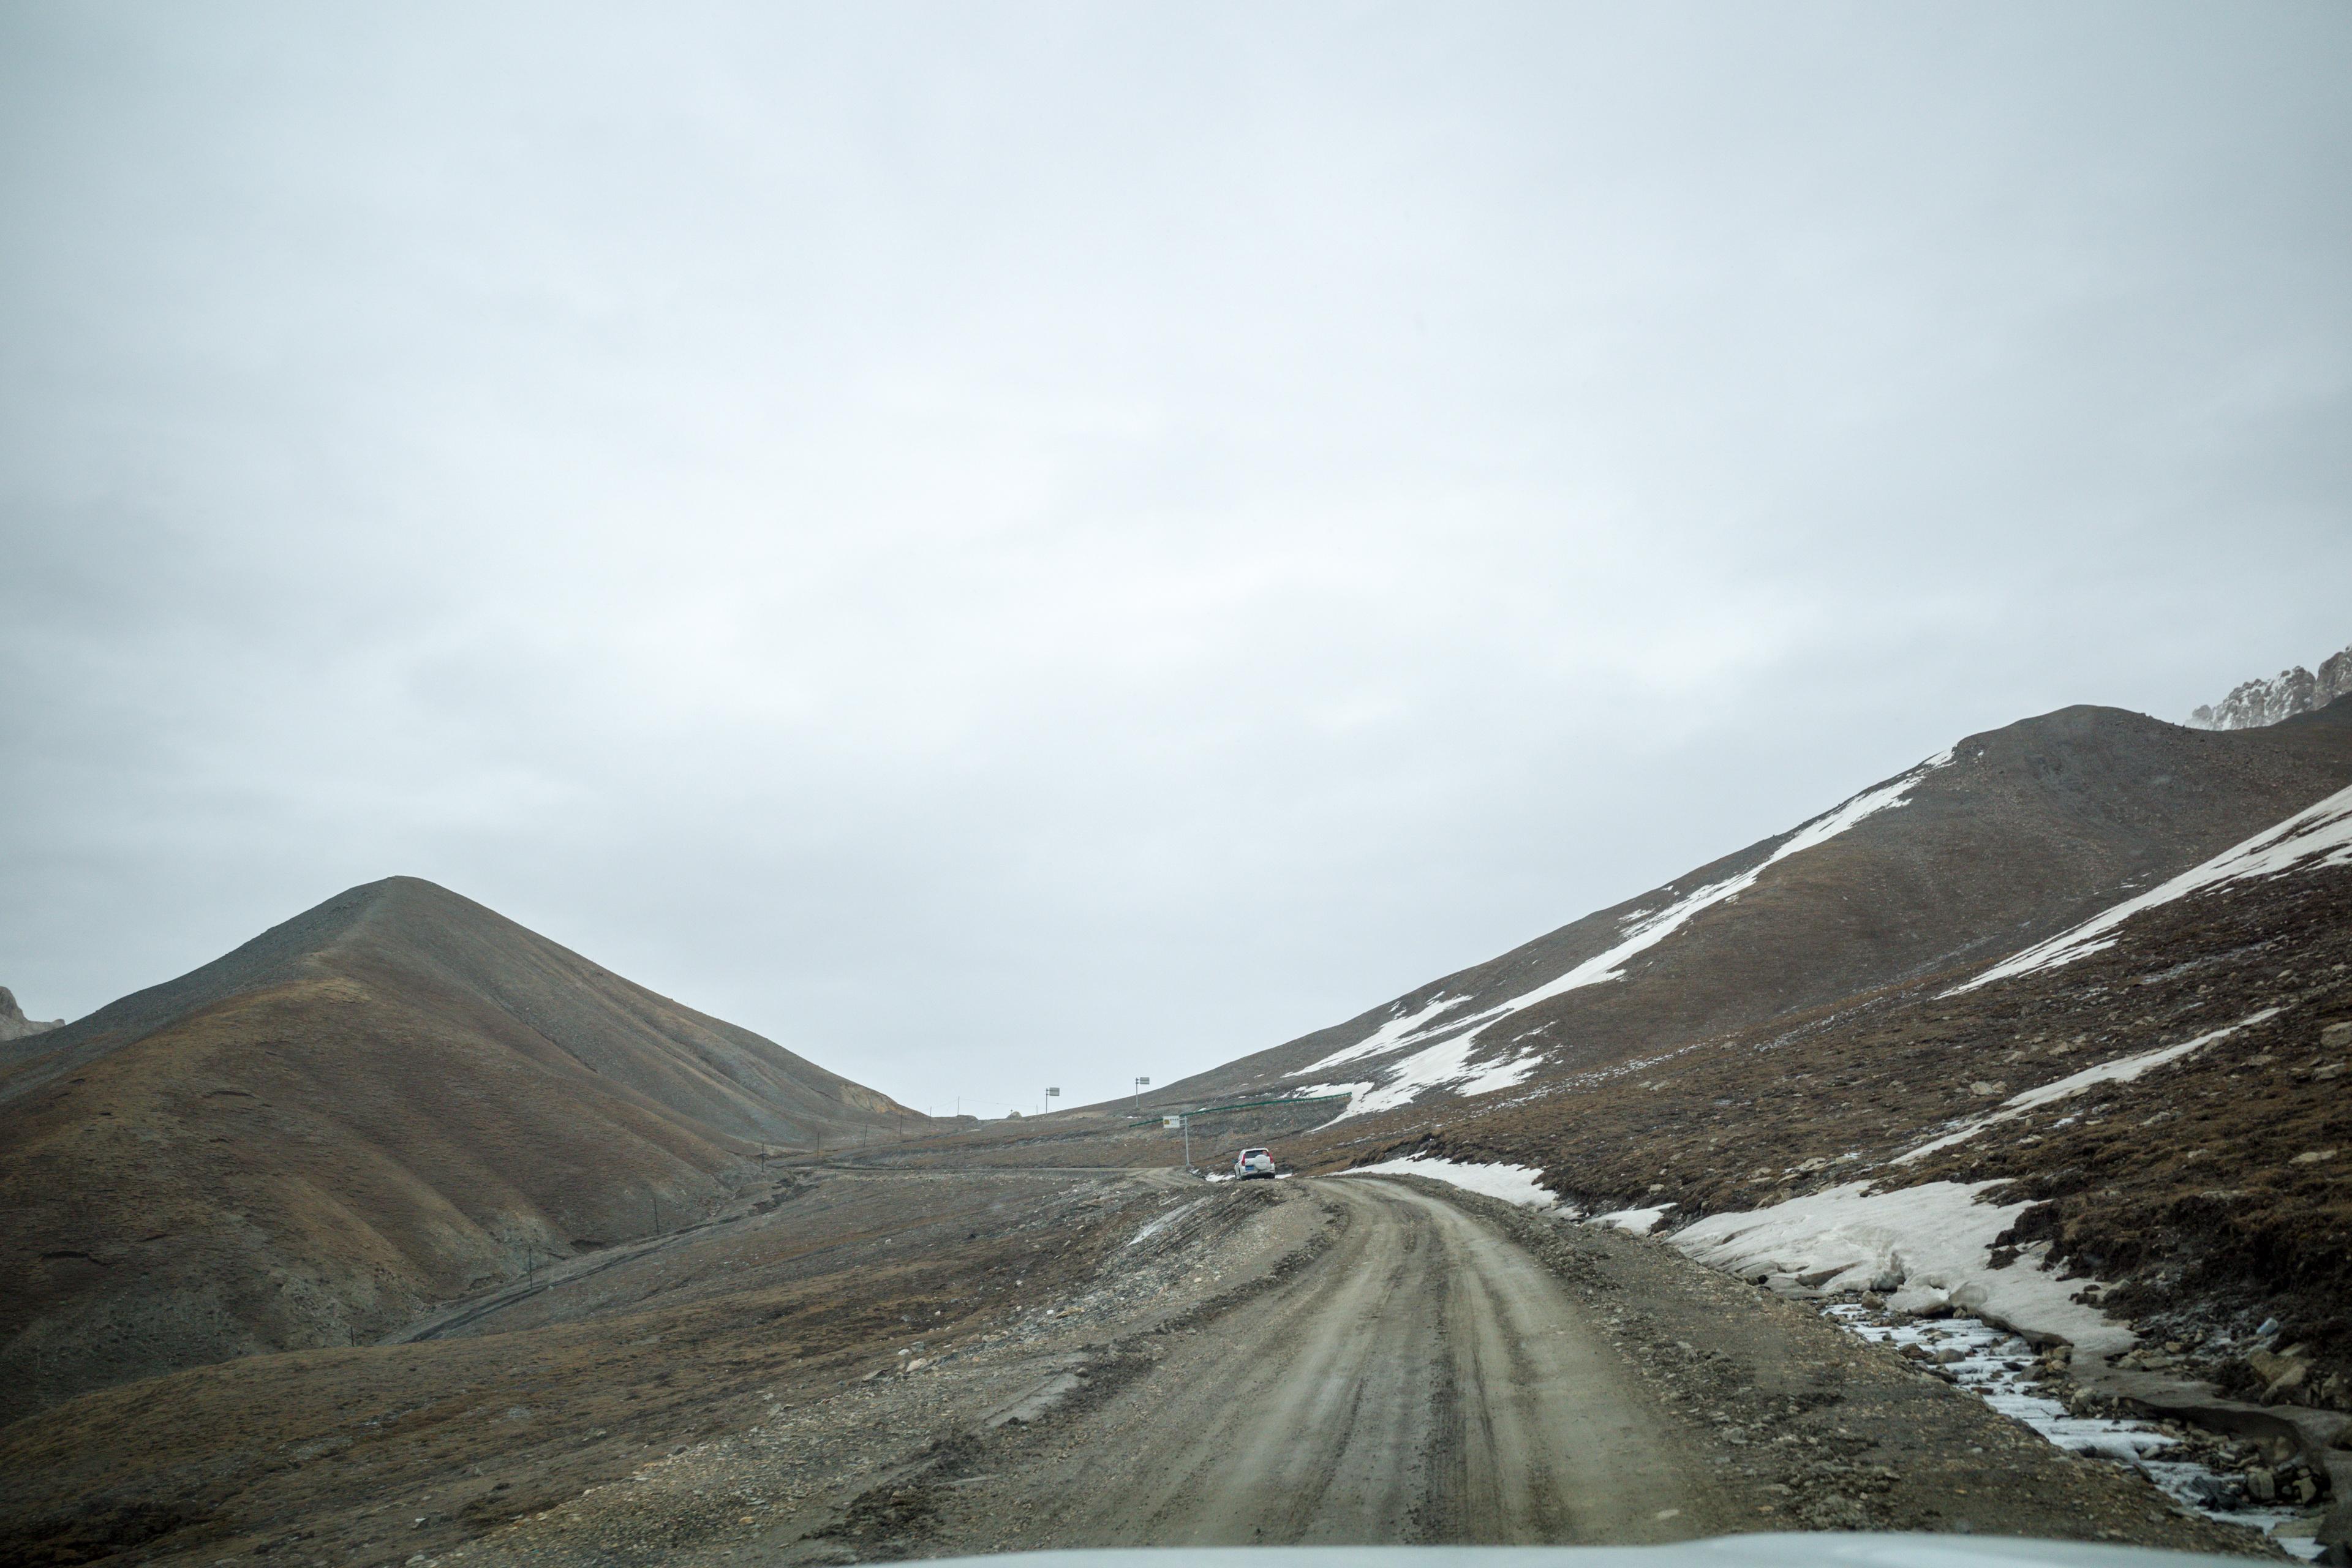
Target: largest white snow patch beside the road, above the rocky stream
1923 1247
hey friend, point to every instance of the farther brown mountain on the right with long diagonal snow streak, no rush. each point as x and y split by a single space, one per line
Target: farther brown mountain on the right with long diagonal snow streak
2007 838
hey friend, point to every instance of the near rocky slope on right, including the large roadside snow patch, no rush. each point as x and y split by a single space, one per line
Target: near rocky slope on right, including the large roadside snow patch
2130 1139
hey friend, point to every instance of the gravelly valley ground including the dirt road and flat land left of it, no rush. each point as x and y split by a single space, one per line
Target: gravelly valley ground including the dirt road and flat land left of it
883 1362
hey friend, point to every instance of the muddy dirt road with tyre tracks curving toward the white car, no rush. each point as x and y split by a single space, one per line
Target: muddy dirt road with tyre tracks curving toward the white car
1422 1381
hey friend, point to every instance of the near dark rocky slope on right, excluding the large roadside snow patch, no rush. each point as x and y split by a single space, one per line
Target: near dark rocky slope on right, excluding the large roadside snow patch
2165 1099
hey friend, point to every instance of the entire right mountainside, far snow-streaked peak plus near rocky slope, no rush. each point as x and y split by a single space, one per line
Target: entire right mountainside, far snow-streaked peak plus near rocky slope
2052 1031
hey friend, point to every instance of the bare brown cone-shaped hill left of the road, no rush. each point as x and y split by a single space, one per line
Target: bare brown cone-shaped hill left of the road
387 1101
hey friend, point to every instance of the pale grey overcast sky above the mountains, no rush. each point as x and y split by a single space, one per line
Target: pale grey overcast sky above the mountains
1031 544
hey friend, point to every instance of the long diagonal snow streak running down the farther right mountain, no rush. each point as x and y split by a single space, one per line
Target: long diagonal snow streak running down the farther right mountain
1448 1064
